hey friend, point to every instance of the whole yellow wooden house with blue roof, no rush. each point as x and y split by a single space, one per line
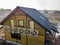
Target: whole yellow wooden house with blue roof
27 19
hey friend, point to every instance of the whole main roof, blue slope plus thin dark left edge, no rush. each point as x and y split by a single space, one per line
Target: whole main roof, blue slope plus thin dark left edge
35 15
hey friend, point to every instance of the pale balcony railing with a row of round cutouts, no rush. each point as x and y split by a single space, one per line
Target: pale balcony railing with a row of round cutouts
20 30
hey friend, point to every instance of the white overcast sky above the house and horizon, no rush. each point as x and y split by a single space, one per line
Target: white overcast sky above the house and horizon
38 4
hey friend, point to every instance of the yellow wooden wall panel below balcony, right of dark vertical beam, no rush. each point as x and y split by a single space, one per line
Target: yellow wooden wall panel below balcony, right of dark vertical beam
36 40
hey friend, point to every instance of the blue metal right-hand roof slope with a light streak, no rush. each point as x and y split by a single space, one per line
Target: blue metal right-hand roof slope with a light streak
37 16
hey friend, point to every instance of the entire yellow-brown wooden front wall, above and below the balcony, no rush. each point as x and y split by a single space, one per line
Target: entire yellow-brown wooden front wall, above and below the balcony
40 40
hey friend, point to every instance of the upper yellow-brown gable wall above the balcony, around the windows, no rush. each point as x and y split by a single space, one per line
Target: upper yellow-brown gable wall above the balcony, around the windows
20 15
